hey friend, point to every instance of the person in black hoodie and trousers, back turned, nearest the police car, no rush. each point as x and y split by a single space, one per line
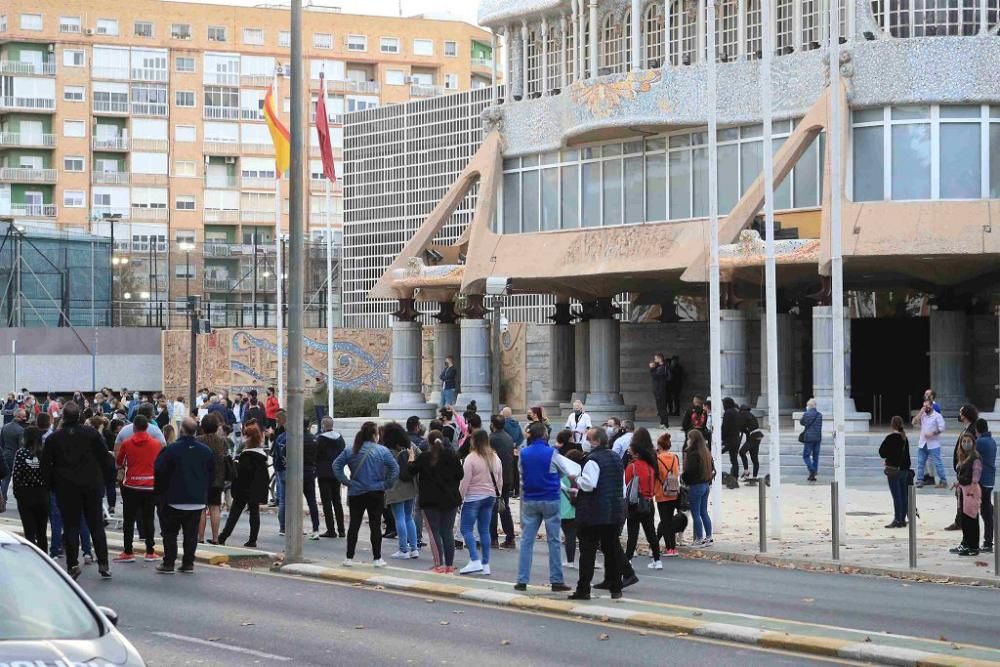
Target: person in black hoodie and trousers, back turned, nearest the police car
76 465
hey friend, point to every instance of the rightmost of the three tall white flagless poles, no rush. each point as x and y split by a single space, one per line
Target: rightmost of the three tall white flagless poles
833 132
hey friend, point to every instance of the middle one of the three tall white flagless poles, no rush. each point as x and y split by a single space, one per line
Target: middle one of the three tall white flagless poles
770 278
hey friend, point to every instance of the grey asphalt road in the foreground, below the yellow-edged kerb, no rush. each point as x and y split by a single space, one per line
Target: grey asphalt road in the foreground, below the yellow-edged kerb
226 617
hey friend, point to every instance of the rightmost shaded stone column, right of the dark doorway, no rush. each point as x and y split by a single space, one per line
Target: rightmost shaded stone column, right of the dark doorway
949 358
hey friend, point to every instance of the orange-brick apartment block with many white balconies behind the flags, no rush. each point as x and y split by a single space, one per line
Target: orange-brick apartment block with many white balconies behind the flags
143 121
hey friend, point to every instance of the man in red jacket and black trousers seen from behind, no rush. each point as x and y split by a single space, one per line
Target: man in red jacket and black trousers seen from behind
138 454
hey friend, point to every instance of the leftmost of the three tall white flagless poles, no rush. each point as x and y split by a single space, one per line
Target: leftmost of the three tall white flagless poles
715 343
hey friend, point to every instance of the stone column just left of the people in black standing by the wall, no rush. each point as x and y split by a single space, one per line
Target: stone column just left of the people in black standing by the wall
604 398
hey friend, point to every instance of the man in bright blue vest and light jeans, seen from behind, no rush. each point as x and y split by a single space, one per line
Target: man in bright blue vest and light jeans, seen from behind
540 467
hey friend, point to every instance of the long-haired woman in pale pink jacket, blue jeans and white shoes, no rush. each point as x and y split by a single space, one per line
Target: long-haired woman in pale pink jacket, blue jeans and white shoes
480 487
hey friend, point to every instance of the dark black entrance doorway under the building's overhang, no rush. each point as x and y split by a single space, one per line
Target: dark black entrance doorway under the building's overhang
890 368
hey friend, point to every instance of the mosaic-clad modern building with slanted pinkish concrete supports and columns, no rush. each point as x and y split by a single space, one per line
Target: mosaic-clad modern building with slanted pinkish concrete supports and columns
590 183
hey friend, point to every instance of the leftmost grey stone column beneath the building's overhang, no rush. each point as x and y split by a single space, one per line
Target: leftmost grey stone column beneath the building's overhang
407 396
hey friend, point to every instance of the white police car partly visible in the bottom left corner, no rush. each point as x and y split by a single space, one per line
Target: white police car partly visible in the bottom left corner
46 619
